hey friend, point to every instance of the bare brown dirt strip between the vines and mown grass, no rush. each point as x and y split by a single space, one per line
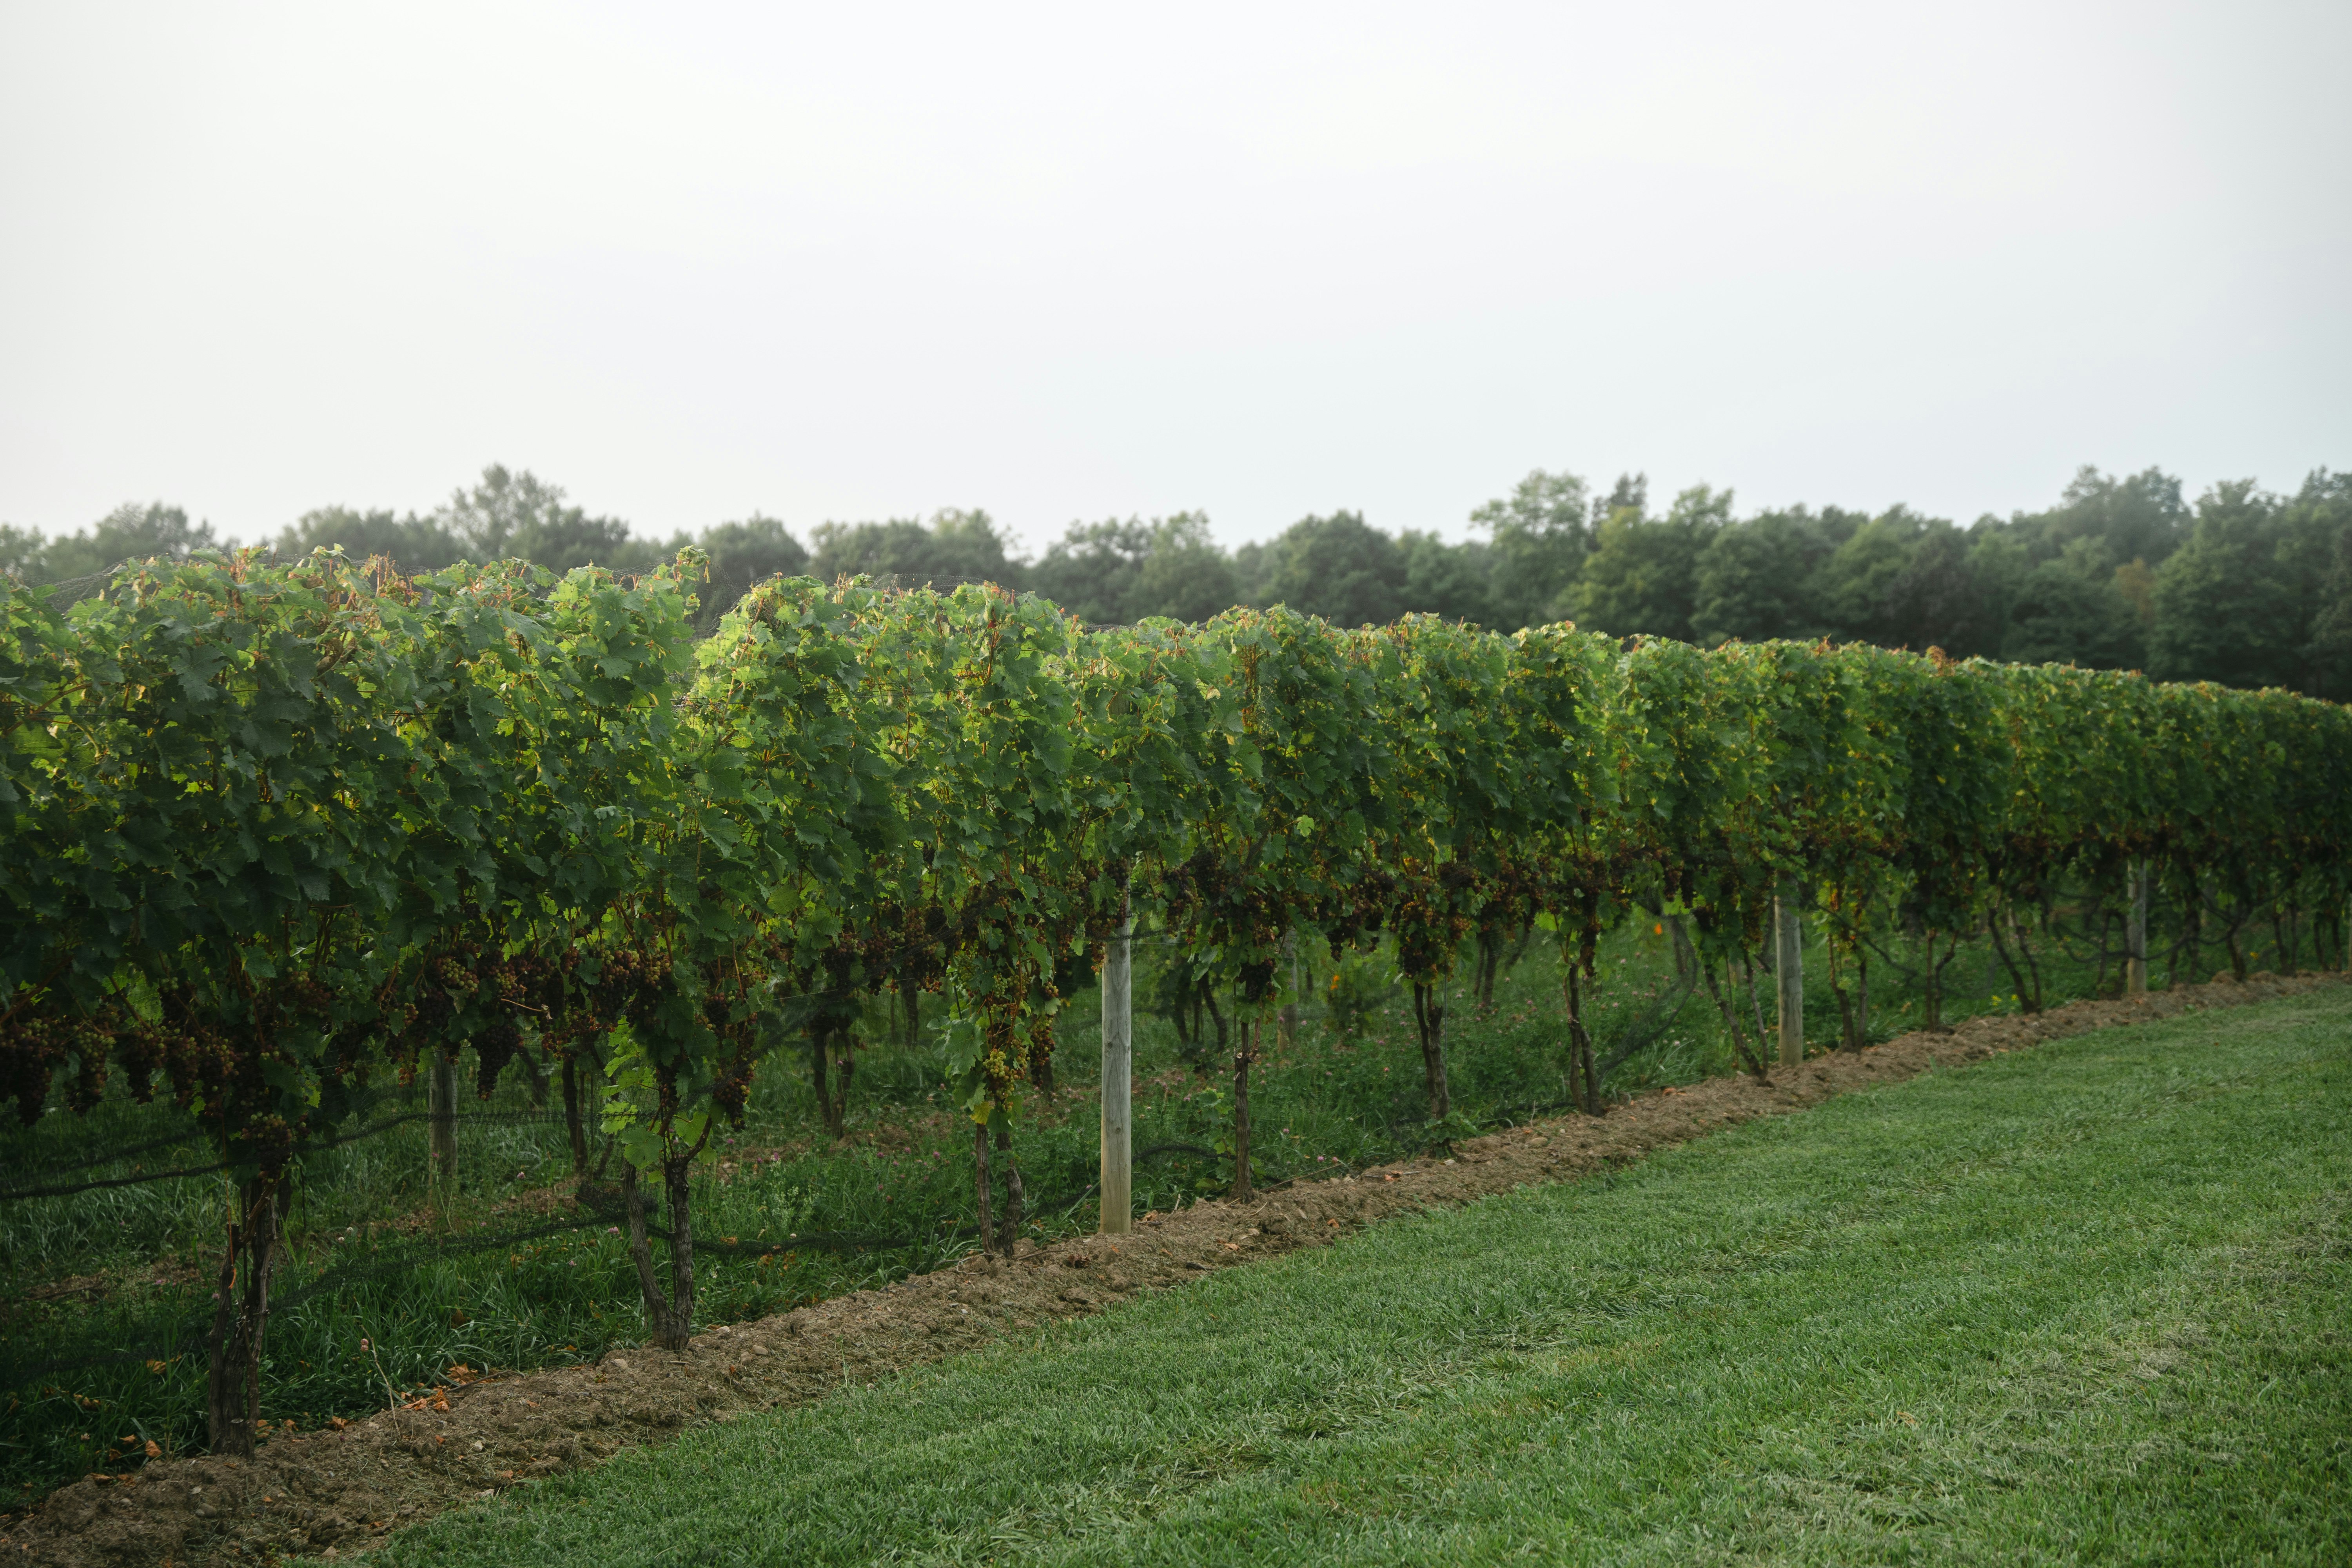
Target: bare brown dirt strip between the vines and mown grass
335 1492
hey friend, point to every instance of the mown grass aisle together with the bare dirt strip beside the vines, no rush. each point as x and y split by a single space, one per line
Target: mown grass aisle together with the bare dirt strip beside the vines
2076 1301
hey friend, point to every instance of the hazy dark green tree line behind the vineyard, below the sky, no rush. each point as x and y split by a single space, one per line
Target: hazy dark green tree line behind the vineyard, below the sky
2243 587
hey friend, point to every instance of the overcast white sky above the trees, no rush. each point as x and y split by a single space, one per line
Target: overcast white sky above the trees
1274 260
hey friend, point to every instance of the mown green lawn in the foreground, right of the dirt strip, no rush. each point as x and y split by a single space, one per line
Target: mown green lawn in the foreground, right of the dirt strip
2085 1304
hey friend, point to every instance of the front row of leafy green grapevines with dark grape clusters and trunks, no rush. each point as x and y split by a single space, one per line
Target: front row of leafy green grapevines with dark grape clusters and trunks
274 831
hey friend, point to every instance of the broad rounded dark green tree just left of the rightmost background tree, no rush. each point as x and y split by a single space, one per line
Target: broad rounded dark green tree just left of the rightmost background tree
2226 608
